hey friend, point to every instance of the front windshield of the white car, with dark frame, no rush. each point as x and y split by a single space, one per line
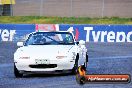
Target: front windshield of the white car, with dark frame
50 38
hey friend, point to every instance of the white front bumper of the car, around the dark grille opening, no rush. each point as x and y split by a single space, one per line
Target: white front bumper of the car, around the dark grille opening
55 65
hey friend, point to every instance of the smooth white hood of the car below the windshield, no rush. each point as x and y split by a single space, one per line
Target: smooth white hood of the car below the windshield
47 50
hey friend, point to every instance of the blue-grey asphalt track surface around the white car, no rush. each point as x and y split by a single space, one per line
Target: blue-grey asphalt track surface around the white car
104 58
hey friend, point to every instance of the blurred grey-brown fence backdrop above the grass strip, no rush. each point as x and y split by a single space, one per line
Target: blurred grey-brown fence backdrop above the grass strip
69 8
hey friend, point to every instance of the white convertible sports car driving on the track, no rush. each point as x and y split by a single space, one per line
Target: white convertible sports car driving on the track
49 52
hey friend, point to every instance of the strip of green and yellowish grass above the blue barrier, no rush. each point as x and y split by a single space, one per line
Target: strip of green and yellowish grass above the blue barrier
63 20
